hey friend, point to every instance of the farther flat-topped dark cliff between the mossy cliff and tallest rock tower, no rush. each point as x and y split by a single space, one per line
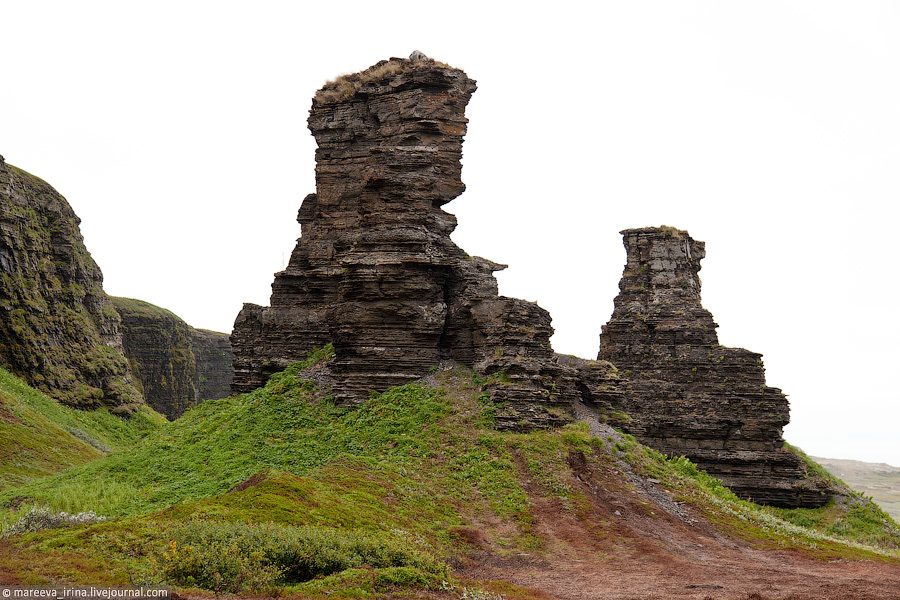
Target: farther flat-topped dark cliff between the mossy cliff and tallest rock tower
176 366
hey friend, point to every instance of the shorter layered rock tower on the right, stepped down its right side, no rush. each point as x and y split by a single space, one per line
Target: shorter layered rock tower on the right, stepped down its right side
687 394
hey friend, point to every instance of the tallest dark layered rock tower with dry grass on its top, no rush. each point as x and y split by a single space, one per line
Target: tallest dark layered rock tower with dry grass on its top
375 271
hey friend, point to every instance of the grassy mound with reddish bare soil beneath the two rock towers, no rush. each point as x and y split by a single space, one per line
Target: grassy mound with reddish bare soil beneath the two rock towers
413 494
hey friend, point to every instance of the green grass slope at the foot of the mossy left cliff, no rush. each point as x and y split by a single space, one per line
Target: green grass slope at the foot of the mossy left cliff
39 436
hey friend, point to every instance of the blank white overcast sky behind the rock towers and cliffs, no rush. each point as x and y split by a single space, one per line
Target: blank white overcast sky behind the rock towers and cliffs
768 129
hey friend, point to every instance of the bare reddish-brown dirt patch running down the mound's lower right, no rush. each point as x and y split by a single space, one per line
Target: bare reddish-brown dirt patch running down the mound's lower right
633 544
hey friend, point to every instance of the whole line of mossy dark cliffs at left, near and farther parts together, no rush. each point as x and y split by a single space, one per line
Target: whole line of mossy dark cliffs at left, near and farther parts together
61 332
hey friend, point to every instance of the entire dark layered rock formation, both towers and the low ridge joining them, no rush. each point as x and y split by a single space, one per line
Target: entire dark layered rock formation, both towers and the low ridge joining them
376 274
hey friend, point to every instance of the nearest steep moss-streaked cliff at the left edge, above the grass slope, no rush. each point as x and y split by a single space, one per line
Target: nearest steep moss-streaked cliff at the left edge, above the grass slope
58 329
